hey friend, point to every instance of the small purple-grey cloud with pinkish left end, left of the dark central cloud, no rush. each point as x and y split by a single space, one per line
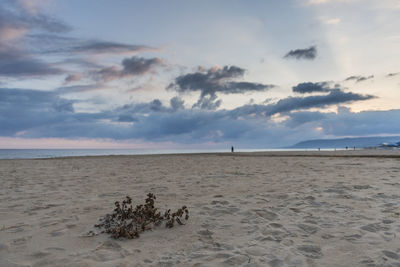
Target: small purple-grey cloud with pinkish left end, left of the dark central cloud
130 67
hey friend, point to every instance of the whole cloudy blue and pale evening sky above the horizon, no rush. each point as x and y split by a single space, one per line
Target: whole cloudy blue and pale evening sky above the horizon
197 74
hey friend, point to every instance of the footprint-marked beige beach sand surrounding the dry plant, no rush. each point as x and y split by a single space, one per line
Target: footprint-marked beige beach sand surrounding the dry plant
250 209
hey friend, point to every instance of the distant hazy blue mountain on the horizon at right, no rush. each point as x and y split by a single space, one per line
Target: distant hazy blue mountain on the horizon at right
358 142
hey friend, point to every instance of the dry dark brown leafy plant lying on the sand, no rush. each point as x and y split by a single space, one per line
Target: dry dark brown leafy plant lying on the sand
129 222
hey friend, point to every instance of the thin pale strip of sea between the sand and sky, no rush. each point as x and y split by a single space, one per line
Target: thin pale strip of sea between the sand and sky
56 153
